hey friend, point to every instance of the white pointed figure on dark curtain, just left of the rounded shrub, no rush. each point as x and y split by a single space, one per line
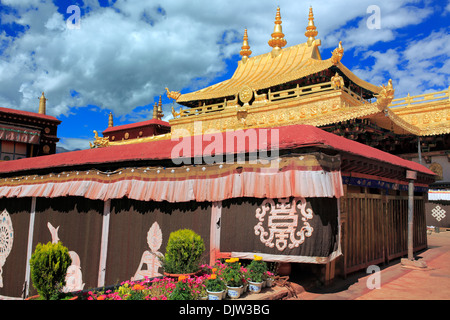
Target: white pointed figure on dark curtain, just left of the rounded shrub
150 258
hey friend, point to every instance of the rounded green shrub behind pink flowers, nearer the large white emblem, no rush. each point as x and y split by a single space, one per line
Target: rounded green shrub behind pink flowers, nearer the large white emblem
183 252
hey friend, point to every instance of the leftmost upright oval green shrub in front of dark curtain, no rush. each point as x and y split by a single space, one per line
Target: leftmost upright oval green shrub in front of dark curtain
48 266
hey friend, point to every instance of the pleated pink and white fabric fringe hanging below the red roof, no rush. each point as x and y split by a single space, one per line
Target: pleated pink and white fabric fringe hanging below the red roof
291 177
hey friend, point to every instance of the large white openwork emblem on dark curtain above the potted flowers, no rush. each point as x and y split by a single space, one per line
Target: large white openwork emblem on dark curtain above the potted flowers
282 223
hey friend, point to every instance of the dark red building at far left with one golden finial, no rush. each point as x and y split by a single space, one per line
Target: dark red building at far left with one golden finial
27 134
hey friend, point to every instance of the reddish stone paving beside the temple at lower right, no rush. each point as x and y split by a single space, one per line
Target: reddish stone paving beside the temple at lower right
396 281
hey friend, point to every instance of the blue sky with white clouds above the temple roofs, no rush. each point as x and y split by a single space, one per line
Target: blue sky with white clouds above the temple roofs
125 52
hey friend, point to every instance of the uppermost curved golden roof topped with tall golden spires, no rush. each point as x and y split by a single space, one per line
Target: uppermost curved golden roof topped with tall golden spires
269 69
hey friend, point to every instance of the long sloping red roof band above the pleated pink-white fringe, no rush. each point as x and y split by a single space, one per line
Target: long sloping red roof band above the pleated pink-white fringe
286 137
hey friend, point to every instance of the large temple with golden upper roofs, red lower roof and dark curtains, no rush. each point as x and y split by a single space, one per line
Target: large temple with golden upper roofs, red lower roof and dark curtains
293 158
